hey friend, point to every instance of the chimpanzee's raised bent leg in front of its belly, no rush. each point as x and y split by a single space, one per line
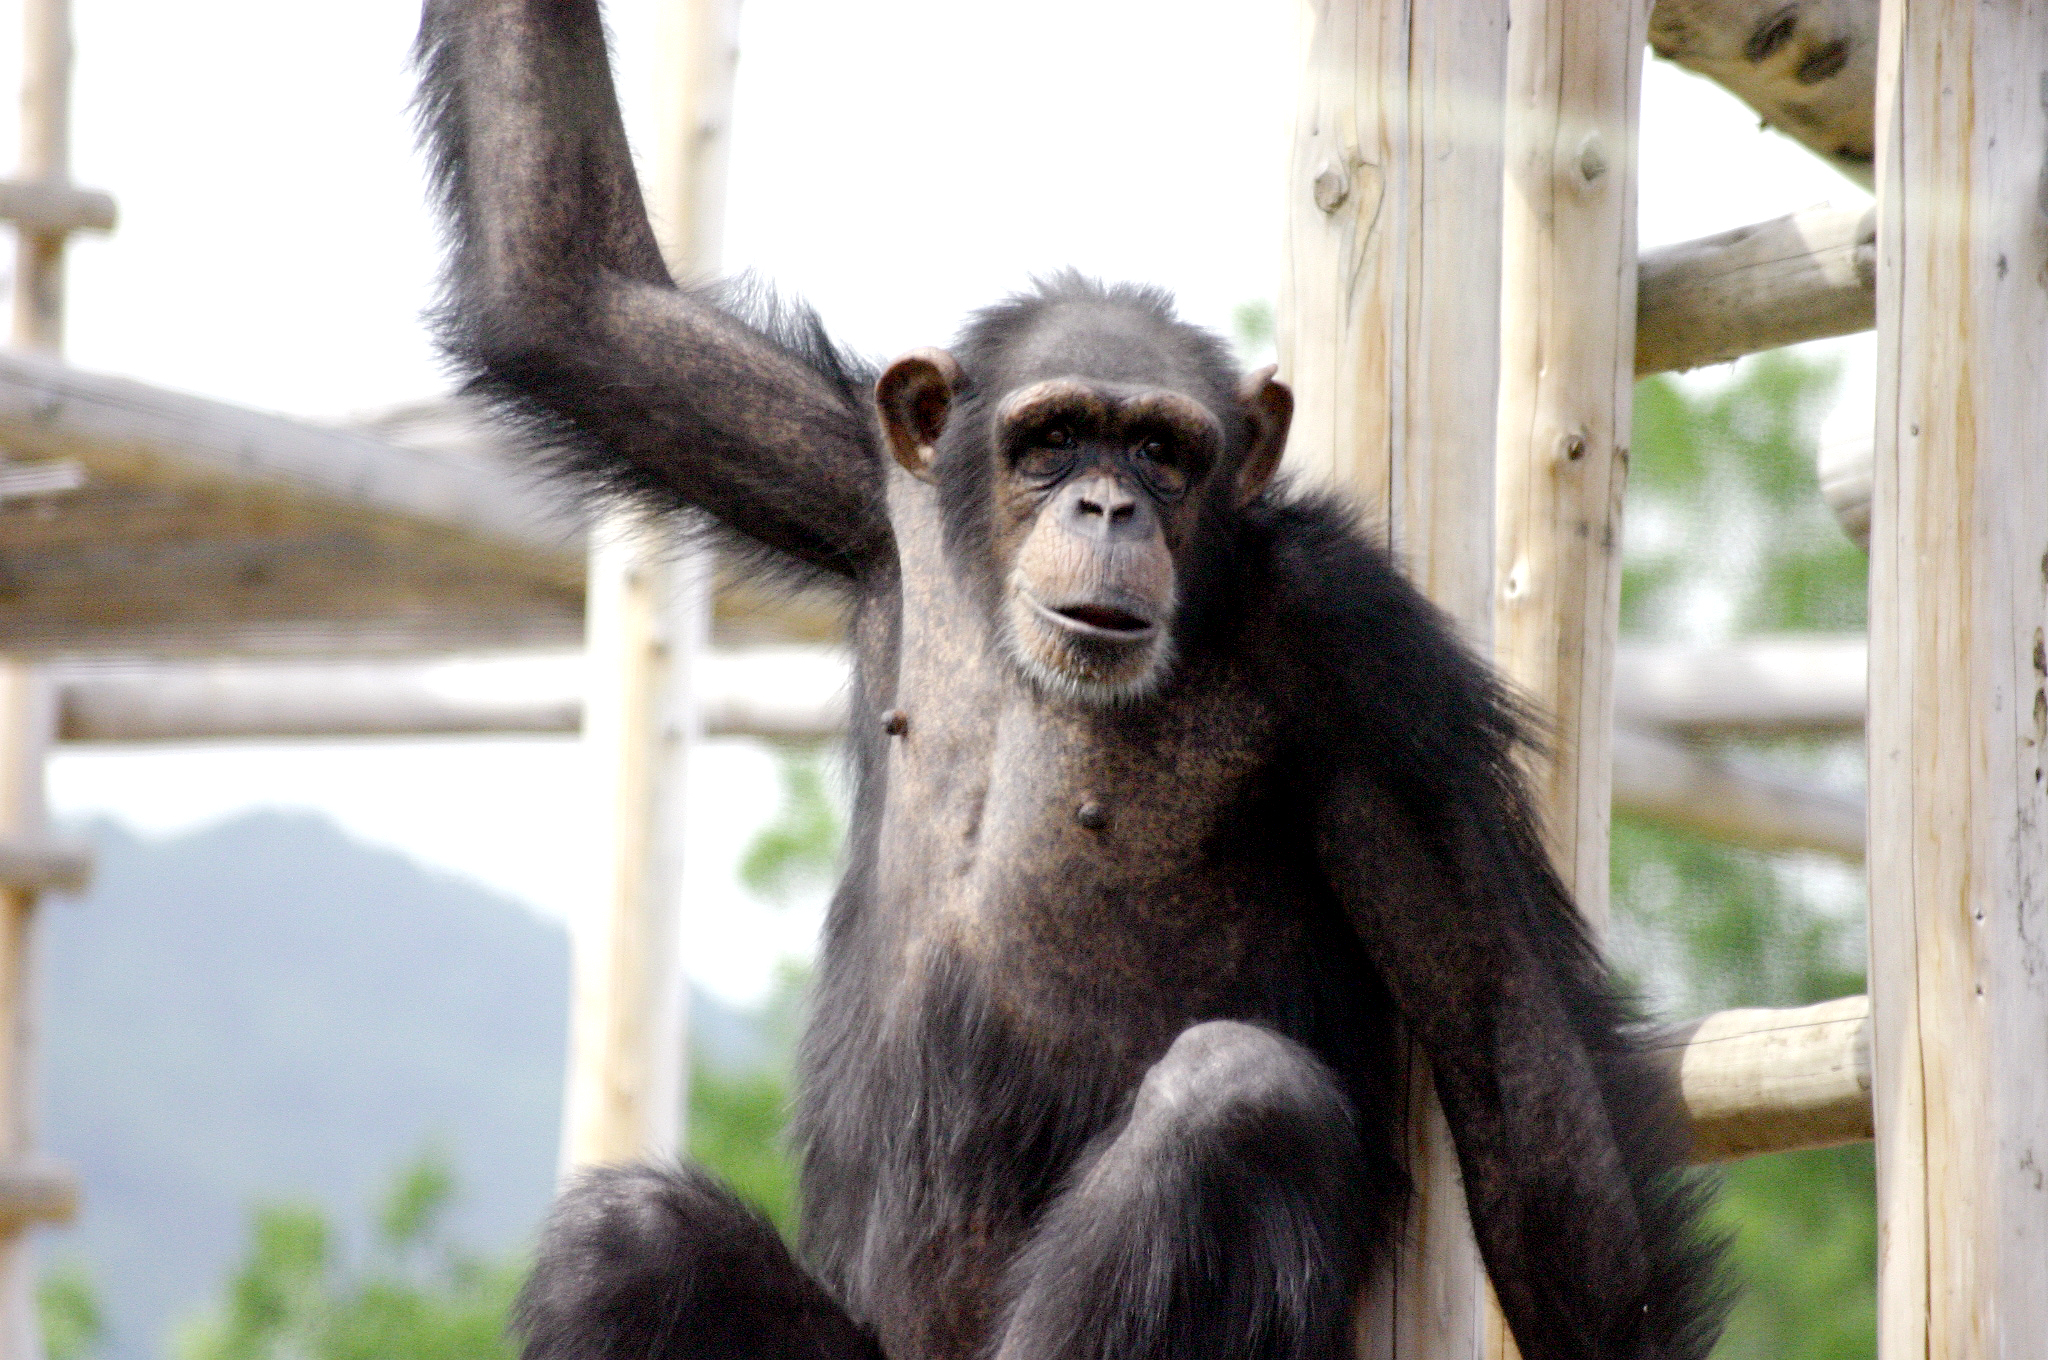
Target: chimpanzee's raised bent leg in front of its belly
1228 1218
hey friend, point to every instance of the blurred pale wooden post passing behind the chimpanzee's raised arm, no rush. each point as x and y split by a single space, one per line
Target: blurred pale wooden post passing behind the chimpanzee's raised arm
648 615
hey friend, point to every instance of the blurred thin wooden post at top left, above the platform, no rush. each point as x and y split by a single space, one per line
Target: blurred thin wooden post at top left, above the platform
46 157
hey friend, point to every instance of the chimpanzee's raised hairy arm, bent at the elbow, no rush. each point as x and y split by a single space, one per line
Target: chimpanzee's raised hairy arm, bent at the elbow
560 310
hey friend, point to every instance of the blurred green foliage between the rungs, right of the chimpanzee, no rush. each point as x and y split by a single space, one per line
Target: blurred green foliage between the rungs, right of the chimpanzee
1727 536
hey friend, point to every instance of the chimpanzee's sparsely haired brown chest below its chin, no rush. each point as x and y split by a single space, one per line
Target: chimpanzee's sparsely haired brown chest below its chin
1086 861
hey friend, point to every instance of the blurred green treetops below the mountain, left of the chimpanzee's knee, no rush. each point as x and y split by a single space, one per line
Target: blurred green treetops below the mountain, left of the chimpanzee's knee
415 1298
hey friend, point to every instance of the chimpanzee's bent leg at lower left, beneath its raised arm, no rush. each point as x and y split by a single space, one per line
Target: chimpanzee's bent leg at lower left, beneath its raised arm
665 1265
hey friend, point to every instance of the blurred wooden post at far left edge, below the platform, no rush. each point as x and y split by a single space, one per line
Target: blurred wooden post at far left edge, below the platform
28 728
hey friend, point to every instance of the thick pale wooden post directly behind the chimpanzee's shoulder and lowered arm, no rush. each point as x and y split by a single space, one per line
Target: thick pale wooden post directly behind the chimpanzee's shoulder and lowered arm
1390 314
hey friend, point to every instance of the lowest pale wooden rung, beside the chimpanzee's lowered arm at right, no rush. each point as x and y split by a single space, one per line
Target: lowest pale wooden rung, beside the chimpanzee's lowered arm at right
1775 1080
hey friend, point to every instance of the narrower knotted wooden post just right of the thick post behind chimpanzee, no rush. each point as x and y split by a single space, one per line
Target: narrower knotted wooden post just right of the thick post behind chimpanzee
1568 378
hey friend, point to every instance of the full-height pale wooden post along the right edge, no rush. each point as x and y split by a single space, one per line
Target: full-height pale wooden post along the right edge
1959 681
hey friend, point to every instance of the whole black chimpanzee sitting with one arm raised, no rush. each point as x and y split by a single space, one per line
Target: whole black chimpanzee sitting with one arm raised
1172 802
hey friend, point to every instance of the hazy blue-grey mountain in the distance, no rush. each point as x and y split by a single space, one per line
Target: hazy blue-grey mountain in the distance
271 1011
